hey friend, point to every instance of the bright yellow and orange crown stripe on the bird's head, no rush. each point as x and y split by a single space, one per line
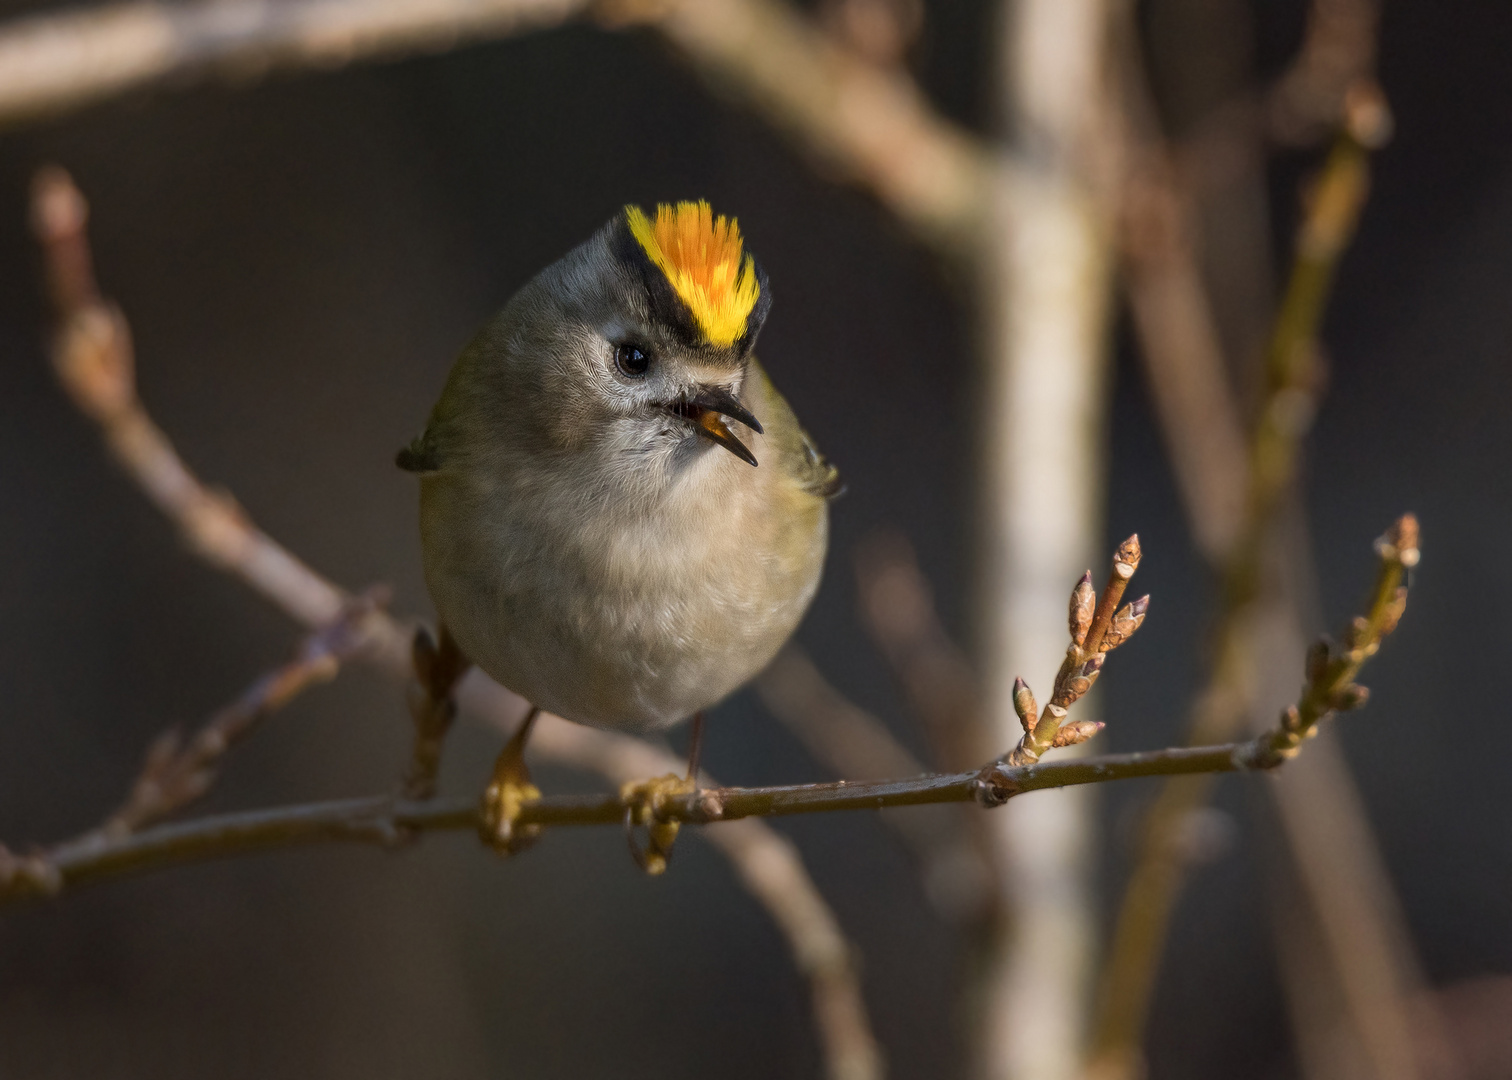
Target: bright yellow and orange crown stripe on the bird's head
701 256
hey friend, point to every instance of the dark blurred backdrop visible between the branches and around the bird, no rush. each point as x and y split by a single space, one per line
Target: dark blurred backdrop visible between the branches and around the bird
300 262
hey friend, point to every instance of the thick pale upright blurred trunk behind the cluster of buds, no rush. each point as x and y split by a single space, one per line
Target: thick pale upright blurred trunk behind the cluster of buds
1046 290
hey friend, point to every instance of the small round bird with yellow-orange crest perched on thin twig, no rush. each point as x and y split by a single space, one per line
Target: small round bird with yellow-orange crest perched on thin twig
622 521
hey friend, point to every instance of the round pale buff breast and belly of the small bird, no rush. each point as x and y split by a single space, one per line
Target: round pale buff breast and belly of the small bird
616 613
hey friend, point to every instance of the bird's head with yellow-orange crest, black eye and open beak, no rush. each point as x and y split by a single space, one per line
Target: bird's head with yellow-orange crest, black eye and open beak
639 341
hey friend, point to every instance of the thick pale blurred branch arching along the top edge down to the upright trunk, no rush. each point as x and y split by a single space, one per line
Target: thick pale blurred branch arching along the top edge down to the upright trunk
864 122
